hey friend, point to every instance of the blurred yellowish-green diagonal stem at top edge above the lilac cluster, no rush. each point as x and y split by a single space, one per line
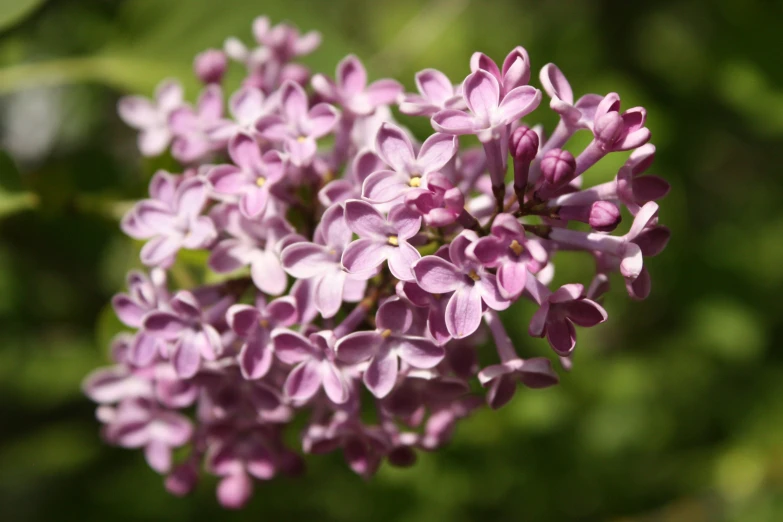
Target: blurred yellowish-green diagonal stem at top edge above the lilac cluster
418 34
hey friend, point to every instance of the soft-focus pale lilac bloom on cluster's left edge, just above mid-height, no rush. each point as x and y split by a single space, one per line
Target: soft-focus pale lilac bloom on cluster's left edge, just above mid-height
170 227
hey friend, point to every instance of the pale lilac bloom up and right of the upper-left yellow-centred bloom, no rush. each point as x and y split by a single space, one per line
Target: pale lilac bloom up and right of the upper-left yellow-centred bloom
298 127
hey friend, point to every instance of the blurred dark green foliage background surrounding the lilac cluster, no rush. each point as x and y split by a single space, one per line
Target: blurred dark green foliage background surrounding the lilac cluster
674 411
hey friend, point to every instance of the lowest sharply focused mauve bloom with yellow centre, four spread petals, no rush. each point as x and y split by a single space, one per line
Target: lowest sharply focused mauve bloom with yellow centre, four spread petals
384 347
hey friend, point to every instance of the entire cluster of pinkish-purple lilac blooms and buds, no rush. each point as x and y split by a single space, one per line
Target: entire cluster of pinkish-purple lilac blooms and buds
349 256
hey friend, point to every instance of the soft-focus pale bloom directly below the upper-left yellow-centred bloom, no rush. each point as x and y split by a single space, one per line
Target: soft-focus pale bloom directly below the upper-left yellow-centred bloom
254 243
